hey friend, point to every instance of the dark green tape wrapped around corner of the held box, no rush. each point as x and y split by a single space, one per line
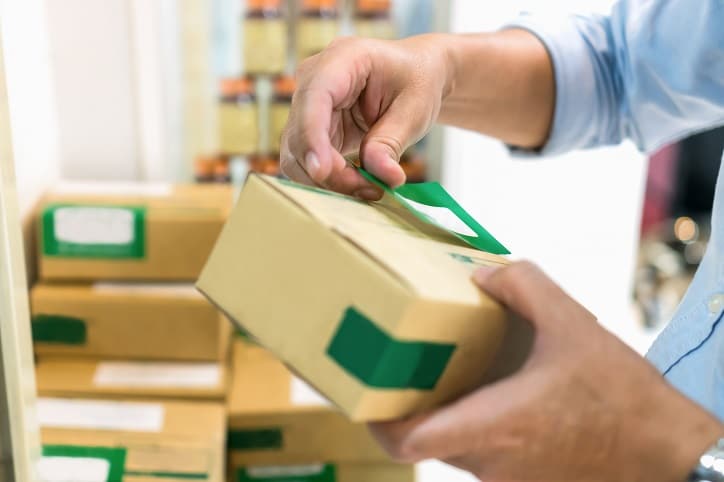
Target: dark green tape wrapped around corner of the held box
376 359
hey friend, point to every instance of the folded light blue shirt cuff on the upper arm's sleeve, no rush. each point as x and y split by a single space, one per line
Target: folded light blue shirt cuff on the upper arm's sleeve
574 79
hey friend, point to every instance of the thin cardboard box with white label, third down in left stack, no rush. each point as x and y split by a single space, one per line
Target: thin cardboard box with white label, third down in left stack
88 378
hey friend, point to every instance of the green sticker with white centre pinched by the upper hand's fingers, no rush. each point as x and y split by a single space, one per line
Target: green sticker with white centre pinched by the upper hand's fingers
431 203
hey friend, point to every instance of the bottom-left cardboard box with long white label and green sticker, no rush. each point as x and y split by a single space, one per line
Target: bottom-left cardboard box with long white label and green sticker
131 441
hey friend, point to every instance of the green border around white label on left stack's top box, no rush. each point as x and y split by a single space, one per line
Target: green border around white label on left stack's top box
133 249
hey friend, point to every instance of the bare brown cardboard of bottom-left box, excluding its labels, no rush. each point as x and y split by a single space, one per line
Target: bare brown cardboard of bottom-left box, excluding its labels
190 442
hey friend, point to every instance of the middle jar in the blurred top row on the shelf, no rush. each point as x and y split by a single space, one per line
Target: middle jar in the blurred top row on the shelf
317 26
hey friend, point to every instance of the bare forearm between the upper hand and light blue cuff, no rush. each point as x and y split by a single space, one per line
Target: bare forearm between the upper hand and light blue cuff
500 84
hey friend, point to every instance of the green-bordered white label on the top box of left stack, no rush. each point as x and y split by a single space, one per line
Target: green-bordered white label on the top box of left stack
83 231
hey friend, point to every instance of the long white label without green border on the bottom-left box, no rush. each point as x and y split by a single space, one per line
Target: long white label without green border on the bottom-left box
100 415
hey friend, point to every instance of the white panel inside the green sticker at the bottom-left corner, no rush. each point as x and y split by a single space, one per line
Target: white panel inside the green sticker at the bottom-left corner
73 469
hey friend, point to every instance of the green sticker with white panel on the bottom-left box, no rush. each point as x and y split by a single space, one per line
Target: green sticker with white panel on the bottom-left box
94 461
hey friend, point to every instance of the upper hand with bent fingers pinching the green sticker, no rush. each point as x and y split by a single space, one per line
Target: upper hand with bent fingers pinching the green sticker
372 96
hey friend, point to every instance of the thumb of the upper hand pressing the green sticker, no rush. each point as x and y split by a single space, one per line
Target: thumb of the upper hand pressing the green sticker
398 128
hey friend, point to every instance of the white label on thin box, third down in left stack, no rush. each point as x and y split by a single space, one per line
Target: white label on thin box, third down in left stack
157 374
